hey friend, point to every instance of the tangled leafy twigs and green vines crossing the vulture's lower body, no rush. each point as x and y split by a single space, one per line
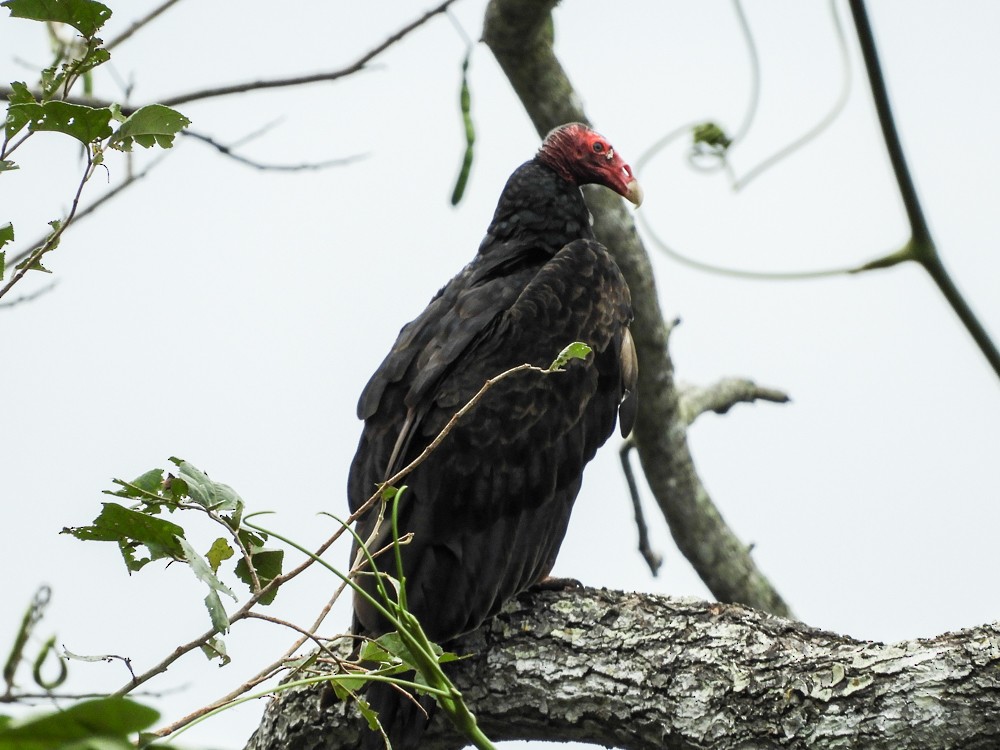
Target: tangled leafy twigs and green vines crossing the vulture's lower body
143 536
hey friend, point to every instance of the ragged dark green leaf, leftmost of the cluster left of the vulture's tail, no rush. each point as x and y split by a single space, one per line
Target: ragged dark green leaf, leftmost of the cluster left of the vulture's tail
131 529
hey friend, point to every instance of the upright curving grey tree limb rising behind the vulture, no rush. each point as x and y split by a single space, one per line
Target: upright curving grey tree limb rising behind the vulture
519 32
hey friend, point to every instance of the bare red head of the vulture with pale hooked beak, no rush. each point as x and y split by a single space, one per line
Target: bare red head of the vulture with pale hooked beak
584 157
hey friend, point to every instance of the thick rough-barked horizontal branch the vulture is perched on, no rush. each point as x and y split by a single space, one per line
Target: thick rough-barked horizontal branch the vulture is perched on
556 666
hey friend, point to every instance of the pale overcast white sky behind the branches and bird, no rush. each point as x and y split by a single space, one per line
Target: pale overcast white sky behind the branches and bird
231 317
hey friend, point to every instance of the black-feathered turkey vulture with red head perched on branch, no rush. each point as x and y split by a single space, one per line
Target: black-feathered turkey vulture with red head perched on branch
489 508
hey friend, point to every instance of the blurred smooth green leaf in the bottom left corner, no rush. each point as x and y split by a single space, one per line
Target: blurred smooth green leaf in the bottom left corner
110 718
